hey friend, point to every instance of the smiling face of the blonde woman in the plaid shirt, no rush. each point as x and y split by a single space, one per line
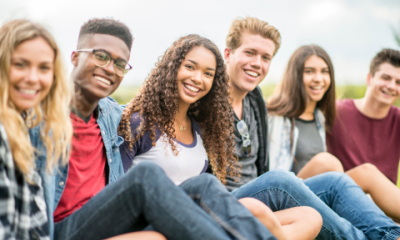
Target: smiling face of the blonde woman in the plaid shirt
31 73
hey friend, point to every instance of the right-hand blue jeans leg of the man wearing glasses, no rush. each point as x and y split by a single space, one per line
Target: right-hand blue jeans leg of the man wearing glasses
213 197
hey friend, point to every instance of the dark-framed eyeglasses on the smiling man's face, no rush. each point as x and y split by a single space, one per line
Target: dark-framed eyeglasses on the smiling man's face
102 58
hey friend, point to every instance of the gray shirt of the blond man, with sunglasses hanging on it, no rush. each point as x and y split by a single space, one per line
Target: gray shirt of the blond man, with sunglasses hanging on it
249 169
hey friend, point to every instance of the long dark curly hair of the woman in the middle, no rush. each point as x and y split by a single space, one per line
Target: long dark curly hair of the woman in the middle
158 102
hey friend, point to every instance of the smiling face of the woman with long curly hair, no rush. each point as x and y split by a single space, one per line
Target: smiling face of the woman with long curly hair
196 75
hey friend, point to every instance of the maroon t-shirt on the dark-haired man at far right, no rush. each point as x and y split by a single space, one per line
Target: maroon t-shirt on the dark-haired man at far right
356 139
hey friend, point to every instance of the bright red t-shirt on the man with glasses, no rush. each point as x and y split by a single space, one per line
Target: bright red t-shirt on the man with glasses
86 173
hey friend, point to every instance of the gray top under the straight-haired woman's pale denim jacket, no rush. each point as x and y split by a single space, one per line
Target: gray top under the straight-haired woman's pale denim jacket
309 143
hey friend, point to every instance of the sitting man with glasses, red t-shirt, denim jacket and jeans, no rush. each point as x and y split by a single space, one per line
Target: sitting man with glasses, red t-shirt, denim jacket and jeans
92 198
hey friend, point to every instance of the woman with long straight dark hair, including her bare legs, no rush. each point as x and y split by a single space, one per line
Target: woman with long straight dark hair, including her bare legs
301 110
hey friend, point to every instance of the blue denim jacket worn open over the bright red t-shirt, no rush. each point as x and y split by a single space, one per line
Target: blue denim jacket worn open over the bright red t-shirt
108 119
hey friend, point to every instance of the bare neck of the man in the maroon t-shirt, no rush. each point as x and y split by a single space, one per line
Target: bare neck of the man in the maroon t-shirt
372 109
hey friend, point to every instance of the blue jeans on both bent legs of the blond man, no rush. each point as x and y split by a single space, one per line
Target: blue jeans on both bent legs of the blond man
346 211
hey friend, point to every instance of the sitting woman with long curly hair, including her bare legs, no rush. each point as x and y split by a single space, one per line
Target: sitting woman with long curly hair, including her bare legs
181 120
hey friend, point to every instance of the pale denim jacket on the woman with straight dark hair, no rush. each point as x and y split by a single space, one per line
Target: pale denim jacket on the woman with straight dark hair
281 155
